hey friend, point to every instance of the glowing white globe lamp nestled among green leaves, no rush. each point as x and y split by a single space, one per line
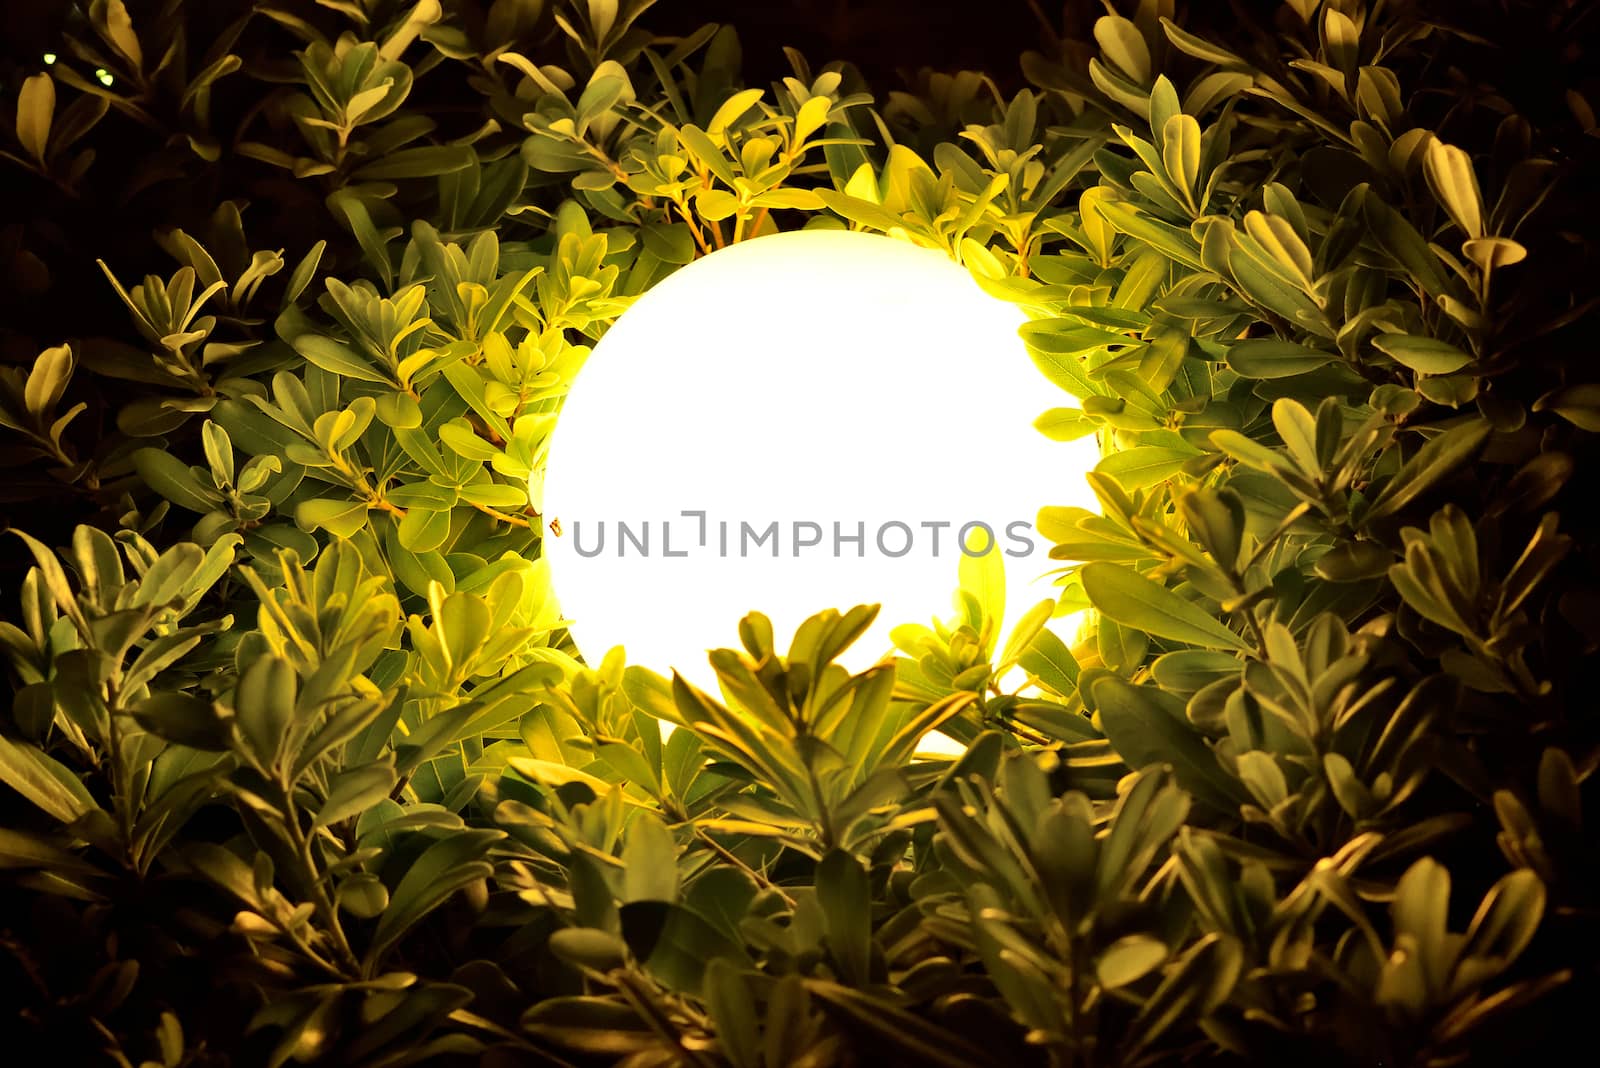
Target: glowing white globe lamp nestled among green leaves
810 378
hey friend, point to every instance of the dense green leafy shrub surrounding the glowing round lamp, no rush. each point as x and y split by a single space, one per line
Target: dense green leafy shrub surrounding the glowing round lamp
302 765
